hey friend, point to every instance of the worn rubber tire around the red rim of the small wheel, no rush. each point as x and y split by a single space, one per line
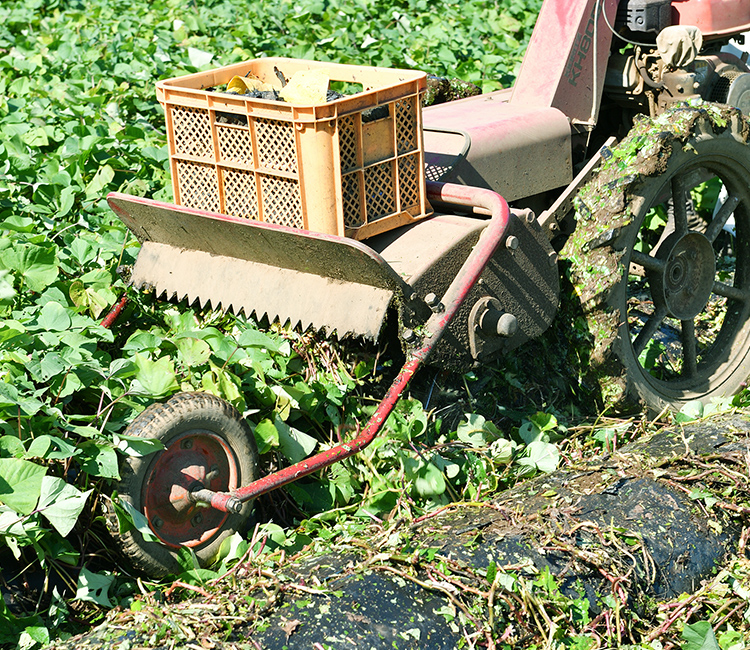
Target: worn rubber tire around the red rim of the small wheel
165 421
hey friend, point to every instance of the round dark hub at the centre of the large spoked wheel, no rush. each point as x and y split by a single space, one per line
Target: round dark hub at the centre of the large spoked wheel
687 279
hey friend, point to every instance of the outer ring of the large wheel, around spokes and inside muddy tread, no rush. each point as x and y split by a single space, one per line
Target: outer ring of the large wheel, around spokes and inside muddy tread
728 155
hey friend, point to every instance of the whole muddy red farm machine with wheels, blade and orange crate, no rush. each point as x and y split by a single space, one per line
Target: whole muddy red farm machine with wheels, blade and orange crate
621 150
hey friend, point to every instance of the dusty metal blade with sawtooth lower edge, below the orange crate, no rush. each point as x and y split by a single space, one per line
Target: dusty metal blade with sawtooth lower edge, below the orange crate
304 278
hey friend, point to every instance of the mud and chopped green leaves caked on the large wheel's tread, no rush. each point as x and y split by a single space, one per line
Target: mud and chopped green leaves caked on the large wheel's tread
597 249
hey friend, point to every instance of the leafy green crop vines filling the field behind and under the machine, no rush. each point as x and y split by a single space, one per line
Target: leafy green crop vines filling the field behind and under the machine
79 118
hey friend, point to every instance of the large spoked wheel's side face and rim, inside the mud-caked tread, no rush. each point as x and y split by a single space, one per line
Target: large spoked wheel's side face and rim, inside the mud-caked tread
684 299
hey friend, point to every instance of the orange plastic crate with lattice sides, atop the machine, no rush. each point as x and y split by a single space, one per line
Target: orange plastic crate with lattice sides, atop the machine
353 167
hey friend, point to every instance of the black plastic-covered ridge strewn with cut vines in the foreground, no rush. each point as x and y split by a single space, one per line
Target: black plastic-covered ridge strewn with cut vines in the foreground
620 549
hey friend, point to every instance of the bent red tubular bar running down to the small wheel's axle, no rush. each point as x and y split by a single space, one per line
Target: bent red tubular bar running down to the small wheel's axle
480 200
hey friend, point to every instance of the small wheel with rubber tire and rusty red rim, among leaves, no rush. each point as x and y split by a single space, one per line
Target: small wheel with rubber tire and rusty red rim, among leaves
206 442
